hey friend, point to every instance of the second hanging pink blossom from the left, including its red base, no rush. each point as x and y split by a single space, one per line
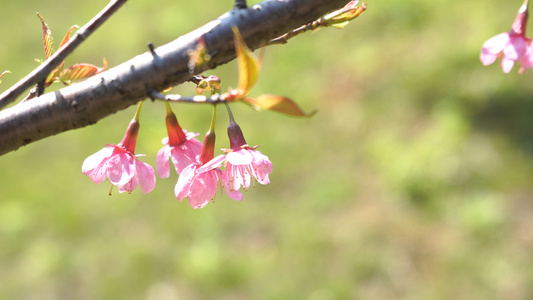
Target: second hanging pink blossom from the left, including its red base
180 146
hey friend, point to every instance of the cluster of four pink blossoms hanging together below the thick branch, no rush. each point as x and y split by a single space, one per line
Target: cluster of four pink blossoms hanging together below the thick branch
200 173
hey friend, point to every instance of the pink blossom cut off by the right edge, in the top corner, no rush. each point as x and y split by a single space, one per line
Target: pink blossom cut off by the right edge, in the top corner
511 46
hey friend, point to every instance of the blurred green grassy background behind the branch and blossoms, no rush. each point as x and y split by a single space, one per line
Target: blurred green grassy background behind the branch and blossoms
414 181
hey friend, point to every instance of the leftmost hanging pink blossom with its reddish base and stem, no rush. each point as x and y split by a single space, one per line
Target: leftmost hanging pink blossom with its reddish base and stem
120 165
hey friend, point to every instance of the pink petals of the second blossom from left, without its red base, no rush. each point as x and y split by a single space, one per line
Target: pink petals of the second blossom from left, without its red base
182 155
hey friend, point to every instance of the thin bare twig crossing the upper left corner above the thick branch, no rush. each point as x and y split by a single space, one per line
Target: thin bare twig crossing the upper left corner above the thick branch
41 72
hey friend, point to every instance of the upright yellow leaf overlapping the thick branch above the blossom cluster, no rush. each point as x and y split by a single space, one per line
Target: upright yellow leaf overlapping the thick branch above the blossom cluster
249 65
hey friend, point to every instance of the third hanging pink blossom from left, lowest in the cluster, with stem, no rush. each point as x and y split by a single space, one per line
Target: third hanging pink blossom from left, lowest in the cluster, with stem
199 181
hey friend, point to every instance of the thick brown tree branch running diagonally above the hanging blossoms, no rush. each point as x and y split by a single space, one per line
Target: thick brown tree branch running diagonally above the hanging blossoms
87 102
